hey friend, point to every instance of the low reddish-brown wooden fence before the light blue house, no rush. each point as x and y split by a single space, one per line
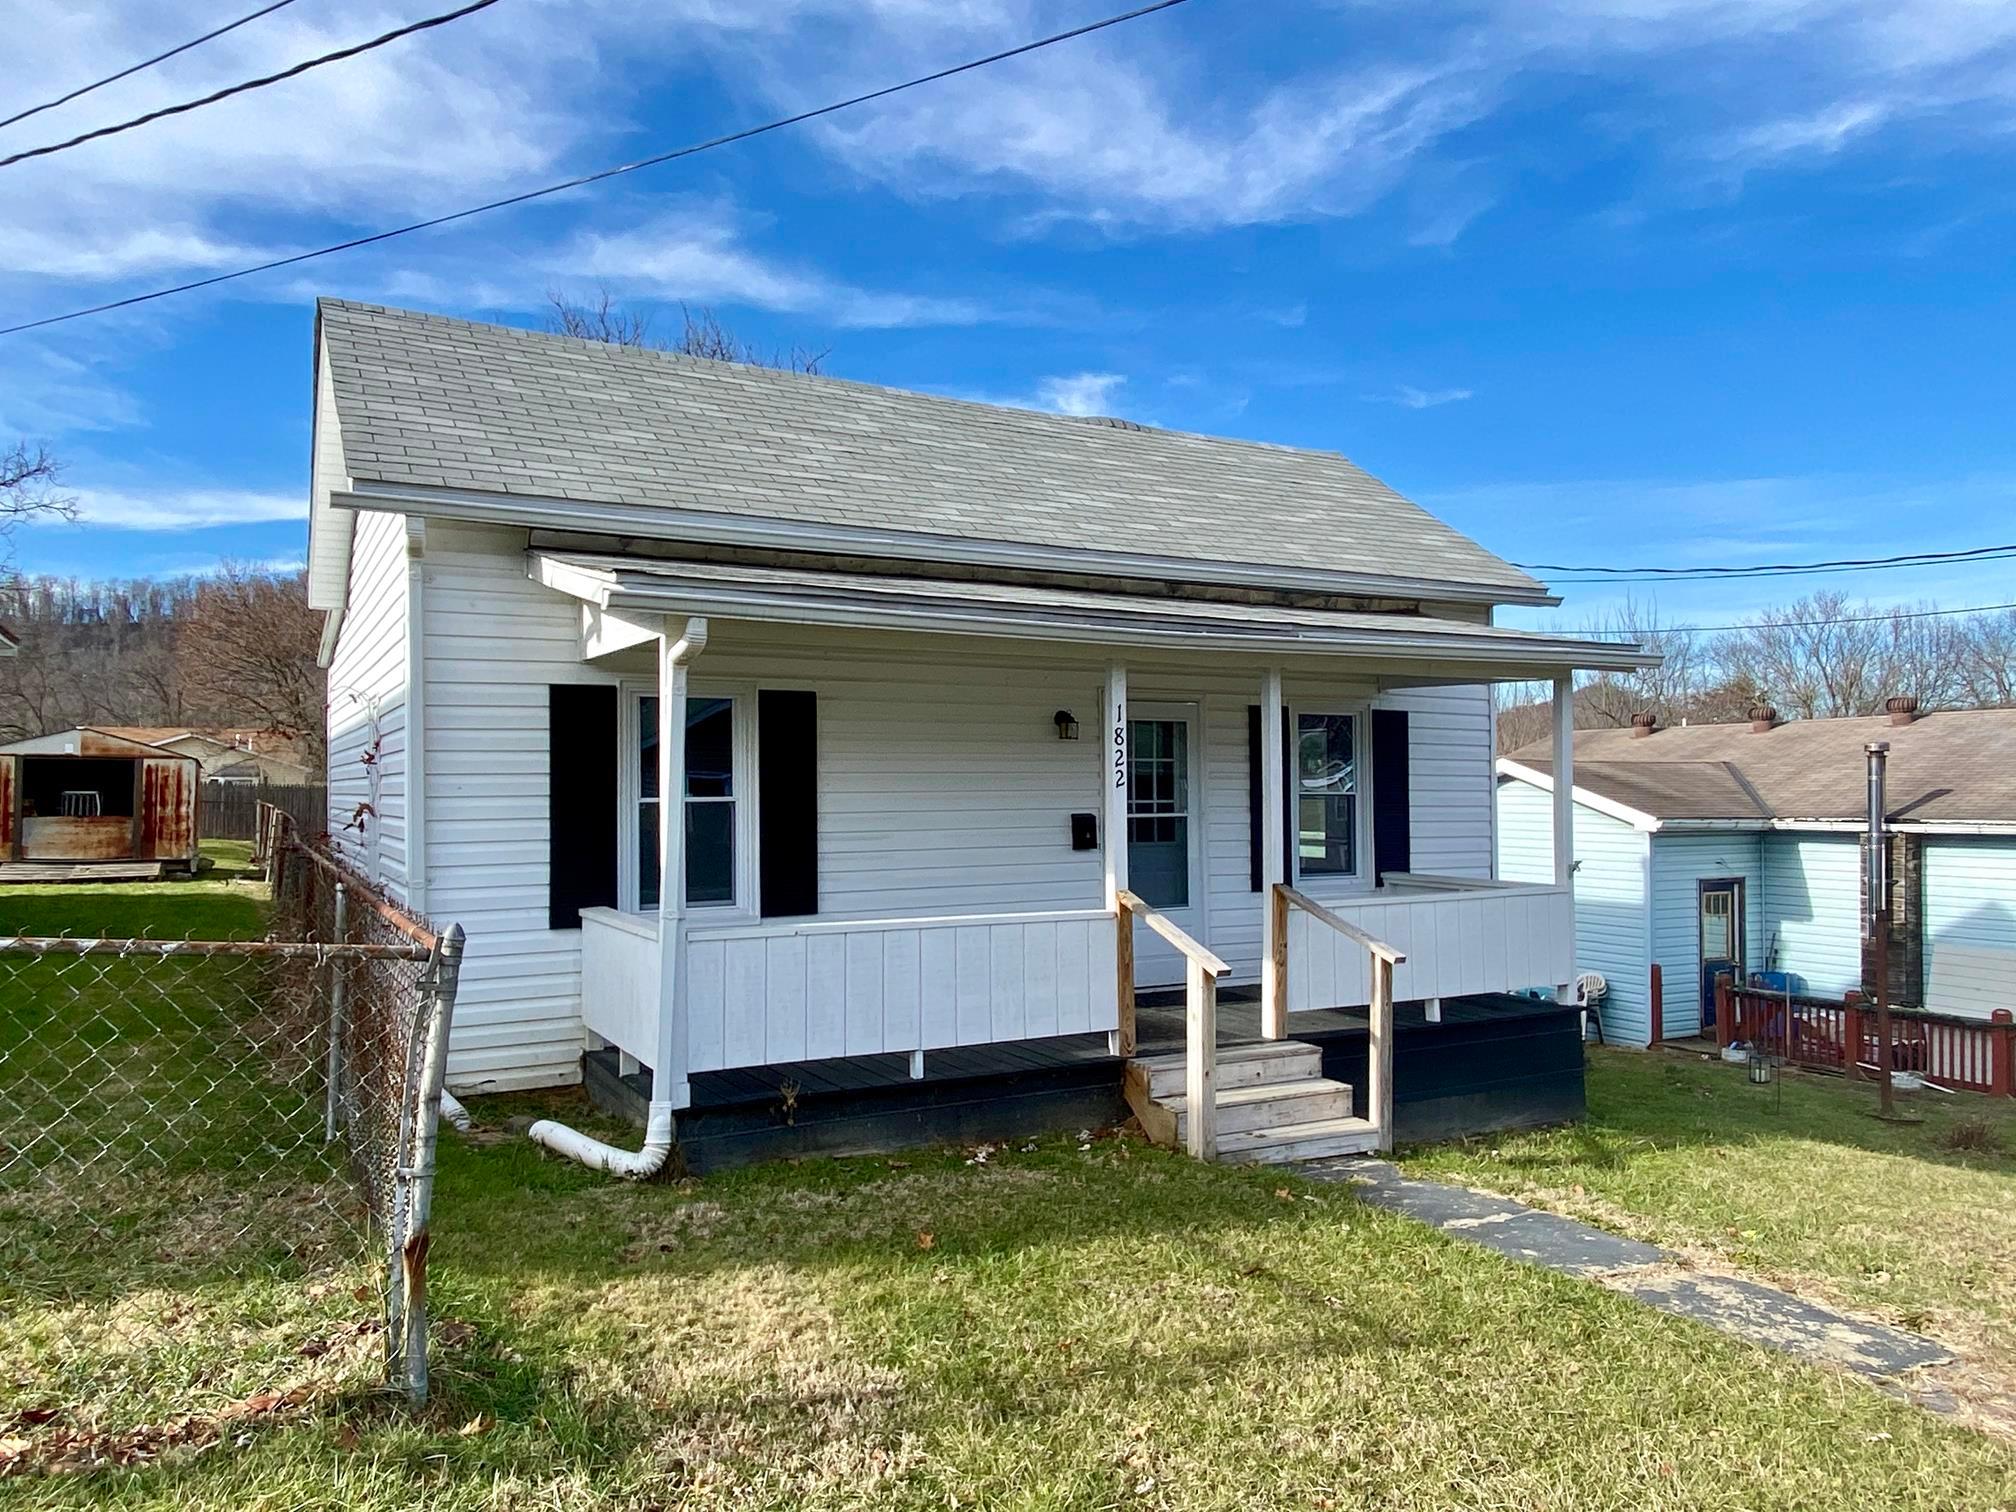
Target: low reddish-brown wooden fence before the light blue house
1963 1053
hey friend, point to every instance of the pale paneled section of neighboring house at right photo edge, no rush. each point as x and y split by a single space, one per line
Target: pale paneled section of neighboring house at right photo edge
1971 926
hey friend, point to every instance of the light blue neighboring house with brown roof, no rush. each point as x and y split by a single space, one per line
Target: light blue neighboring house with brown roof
1739 848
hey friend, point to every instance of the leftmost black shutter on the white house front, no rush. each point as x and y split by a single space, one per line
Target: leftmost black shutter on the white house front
582 801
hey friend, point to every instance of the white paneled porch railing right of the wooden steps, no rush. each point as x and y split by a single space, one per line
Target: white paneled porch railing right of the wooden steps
1459 936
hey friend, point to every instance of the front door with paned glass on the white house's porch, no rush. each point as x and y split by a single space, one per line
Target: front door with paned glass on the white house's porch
1164 832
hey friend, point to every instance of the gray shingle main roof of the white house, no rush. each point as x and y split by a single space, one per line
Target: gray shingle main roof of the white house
453 404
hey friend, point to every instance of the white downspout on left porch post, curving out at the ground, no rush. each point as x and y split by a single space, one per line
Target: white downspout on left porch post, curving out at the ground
668 1063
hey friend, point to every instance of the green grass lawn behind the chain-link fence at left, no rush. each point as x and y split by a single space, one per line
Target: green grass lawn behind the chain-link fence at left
160 1118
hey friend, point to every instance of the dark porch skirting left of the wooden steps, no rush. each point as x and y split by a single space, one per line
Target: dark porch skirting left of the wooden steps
864 1108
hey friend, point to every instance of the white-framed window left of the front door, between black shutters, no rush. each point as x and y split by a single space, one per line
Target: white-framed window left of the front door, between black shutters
719 803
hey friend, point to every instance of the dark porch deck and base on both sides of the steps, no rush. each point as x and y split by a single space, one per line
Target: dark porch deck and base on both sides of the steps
1493 1063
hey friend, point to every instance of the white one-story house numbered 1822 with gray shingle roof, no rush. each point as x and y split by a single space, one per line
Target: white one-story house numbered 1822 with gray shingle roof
906 668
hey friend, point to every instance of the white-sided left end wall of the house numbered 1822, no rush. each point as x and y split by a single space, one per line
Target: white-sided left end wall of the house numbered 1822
368 705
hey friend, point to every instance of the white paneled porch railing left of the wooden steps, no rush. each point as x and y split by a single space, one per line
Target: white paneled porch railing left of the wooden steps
817 989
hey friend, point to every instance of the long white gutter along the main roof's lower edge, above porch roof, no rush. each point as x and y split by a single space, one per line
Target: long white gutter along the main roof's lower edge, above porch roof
725 529
